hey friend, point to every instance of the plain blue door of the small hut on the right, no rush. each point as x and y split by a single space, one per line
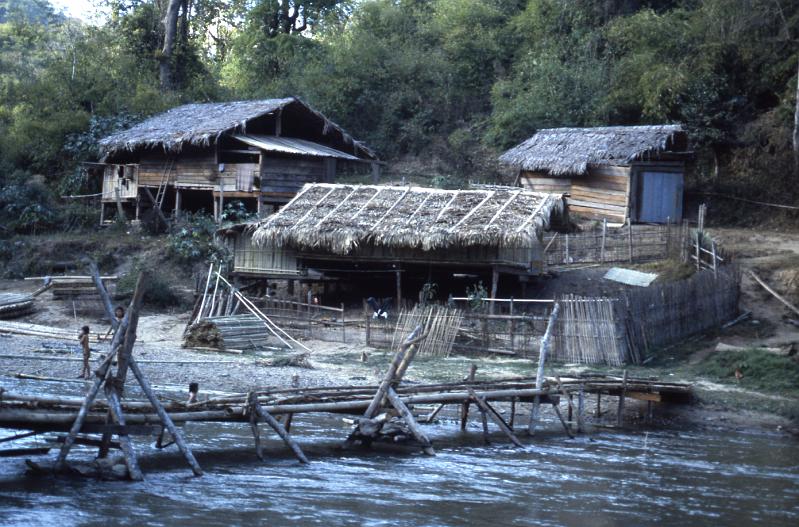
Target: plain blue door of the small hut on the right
661 197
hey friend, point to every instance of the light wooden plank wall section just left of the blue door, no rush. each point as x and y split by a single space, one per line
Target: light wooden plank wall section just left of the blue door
601 194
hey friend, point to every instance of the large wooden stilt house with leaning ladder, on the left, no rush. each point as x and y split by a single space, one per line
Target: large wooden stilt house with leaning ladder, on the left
198 156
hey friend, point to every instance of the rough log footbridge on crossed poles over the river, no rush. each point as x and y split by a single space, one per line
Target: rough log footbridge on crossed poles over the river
387 412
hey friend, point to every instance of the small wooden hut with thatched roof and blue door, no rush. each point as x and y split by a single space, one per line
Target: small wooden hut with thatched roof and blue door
618 173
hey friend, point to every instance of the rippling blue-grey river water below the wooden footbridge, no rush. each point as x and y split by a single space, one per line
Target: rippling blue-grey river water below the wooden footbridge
664 477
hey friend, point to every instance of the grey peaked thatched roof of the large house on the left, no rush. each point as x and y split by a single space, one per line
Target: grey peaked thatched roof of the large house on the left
200 124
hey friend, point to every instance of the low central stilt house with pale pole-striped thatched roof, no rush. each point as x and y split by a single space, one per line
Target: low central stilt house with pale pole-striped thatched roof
388 239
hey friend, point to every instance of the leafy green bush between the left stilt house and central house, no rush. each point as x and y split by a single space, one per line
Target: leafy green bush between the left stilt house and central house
192 240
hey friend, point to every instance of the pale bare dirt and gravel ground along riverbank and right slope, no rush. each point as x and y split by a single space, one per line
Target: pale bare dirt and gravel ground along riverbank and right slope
773 255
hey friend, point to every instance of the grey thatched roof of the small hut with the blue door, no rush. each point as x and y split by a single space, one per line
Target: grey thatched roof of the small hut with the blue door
569 151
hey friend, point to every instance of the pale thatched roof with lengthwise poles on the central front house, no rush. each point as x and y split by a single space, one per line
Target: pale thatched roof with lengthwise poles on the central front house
338 218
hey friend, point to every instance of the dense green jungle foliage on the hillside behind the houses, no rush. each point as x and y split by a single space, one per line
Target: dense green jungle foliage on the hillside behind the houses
445 83
